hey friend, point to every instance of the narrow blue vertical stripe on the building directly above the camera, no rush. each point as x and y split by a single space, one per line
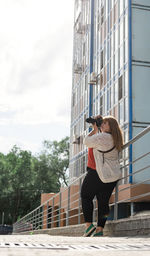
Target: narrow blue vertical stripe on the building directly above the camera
91 58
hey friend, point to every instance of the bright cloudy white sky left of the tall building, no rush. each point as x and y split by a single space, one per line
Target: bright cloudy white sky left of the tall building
36 45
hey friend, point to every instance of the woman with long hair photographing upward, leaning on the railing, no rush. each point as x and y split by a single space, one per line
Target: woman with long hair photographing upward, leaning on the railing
103 172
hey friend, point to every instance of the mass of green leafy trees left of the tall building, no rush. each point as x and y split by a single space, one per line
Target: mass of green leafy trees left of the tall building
24 177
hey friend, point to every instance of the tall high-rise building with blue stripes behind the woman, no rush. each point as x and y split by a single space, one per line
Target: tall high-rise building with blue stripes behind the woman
111 72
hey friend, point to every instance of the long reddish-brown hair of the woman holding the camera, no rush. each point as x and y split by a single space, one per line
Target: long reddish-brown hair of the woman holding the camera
115 131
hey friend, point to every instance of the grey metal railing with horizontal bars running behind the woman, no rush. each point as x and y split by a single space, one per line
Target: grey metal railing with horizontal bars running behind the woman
64 208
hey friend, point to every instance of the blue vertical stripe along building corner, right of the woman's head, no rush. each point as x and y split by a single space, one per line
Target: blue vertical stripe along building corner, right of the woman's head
130 86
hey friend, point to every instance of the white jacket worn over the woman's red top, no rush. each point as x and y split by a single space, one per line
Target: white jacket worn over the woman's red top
109 169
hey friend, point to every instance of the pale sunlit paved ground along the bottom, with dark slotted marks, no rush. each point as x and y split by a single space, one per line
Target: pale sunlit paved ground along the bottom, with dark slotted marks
41 245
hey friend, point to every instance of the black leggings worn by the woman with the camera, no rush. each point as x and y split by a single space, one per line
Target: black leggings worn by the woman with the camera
92 186
